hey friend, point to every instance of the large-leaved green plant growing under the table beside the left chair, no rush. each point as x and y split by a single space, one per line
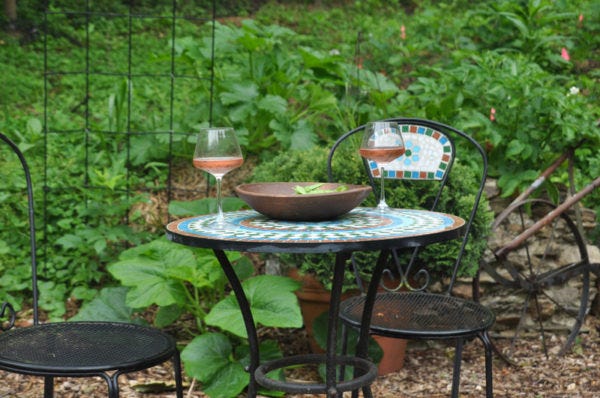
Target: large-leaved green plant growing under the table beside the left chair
178 282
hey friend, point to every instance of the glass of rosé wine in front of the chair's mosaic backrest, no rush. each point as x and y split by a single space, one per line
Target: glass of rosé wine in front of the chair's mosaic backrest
382 143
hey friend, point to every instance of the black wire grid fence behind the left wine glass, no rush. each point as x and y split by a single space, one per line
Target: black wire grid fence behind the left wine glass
122 99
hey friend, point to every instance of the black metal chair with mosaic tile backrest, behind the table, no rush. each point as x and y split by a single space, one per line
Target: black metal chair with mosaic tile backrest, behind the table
407 310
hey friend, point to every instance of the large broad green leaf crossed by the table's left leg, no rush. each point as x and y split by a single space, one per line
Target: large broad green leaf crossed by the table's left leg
272 302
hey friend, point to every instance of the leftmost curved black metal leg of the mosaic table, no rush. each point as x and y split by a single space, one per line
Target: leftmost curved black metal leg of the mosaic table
246 314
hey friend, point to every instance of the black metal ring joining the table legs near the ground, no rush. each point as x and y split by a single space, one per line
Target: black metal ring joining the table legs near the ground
365 373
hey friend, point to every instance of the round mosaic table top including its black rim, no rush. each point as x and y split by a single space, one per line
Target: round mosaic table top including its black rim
361 229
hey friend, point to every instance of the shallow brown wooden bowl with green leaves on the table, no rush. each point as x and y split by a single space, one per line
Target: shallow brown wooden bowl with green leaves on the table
279 200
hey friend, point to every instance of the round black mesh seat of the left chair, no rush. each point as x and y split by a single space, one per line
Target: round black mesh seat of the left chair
78 347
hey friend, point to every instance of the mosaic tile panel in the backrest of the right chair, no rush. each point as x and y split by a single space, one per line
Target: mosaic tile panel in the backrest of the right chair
428 154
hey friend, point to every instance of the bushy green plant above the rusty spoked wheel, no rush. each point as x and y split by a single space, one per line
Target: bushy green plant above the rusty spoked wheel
525 115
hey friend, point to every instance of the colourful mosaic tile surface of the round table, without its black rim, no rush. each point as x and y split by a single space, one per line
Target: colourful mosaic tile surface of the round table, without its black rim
360 224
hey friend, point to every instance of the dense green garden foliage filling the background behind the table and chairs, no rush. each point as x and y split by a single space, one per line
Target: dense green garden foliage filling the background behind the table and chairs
521 76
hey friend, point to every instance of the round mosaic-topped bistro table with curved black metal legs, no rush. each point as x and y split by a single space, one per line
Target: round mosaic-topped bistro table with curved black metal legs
362 229
